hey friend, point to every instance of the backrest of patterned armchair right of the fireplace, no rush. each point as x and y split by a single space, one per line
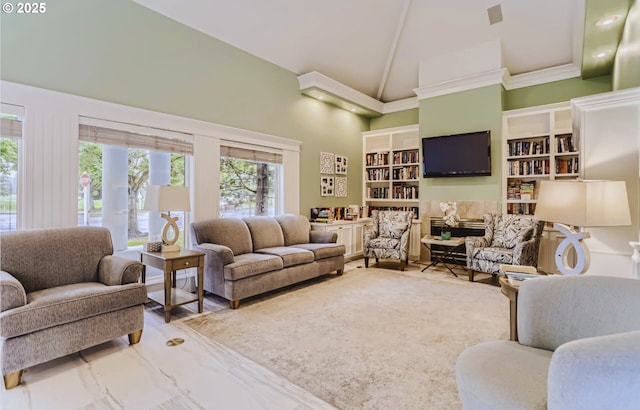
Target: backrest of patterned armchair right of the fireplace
508 230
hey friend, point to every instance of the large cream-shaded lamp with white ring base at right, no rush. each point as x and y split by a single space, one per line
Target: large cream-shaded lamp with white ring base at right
581 204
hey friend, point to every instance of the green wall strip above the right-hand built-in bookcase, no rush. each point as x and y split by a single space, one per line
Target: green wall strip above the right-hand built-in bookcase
557 91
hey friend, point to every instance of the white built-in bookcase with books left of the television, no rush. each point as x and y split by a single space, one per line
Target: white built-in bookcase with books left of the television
394 155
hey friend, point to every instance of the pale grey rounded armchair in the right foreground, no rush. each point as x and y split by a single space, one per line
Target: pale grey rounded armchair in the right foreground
578 348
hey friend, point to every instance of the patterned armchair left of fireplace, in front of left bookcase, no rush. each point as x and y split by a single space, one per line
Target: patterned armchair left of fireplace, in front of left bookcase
388 237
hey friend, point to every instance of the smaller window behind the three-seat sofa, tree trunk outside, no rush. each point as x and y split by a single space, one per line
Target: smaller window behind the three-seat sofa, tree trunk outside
249 182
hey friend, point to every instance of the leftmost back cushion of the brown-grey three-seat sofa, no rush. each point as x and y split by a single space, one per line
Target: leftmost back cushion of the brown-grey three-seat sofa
230 232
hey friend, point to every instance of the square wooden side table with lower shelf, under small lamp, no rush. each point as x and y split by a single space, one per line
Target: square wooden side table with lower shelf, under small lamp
169 263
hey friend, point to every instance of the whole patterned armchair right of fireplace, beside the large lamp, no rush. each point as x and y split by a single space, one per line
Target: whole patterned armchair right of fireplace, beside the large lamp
508 239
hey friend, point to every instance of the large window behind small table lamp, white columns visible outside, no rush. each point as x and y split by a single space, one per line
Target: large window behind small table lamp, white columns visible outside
120 165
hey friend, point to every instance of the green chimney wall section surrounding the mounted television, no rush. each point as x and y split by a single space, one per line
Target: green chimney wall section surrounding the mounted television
467 111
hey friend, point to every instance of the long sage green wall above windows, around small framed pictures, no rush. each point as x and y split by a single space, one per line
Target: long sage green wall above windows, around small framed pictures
121 52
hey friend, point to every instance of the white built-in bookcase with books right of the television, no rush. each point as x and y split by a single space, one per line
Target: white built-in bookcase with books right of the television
538 144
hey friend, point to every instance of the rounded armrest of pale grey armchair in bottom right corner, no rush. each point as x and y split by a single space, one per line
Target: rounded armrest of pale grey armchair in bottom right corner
596 373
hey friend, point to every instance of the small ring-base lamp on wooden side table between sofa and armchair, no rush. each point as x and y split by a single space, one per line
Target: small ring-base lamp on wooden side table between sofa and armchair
167 198
